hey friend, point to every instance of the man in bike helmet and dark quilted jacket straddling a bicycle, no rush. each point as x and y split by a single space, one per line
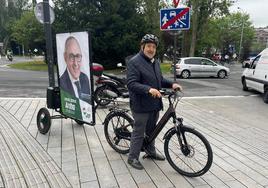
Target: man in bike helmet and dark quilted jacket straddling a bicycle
144 80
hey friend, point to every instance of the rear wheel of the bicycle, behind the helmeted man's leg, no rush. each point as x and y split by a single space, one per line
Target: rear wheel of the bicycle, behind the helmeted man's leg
117 130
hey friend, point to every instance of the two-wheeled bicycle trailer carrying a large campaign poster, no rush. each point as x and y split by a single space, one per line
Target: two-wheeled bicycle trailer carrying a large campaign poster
72 98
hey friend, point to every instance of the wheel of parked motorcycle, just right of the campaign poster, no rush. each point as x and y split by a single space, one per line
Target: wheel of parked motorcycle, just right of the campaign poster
99 96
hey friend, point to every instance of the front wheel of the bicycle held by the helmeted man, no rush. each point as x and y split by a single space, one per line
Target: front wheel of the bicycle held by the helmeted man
193 157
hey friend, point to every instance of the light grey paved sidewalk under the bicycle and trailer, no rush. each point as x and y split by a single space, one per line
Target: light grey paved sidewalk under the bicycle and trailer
79 156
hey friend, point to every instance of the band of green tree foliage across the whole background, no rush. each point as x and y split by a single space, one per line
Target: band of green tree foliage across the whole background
116 26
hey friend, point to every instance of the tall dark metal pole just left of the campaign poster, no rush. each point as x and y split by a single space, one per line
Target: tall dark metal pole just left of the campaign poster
49 48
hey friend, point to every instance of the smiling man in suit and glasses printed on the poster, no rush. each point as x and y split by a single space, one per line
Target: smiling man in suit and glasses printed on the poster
74 81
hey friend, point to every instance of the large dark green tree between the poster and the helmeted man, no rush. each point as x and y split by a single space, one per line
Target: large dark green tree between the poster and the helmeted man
116 26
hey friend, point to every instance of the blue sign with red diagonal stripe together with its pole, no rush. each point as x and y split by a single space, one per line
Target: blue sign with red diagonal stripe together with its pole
175 19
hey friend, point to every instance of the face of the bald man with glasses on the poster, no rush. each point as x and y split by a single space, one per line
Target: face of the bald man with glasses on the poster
73 58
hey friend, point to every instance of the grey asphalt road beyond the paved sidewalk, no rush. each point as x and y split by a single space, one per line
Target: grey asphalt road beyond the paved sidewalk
21 83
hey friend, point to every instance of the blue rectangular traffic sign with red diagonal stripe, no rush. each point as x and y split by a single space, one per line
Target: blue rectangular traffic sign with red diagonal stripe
175 19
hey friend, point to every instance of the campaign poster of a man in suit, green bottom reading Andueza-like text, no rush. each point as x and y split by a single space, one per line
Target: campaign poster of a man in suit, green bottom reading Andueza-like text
74 76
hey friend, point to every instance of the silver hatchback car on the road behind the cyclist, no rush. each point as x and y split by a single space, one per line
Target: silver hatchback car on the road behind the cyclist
199 66
